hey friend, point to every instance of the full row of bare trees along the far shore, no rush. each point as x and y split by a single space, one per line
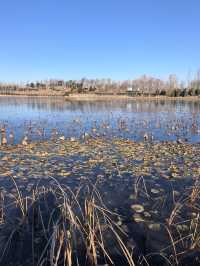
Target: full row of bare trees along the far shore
145 85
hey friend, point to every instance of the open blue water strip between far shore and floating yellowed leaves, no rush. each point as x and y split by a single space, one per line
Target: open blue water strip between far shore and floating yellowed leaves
161 120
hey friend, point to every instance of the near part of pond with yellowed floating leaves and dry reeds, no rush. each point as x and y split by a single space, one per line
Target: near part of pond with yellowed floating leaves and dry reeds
100 201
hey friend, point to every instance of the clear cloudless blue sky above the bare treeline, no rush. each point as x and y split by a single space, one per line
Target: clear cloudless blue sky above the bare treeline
42 39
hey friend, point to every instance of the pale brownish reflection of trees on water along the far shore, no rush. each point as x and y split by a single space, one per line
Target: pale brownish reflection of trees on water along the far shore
58 104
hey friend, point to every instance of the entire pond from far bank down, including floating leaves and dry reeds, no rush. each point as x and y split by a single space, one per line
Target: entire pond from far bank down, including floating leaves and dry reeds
107 184
